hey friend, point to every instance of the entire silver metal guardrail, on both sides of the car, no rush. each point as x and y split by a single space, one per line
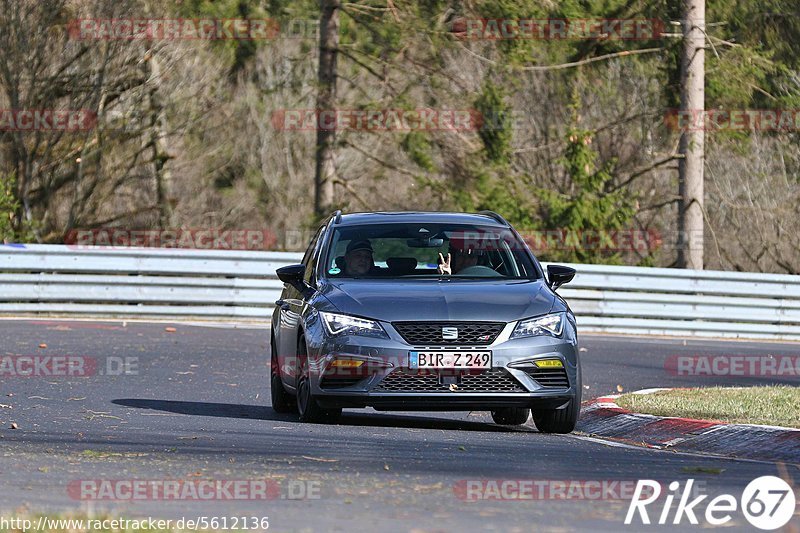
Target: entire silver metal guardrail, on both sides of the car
241 286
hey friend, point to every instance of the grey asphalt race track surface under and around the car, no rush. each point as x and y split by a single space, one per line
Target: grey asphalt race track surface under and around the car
194 405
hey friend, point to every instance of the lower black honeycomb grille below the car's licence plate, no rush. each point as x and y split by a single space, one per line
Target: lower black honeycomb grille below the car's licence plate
492 380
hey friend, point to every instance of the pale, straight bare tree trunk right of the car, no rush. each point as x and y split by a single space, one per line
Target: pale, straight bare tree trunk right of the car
690 168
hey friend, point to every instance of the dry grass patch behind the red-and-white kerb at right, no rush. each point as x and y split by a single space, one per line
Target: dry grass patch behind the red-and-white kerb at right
773 406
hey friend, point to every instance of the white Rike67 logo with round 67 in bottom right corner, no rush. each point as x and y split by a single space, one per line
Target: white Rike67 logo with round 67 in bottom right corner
768 503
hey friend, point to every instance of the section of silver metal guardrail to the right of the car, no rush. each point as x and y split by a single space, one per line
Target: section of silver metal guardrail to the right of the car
665 301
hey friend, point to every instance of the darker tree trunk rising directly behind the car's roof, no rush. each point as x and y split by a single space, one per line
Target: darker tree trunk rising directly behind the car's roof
325 172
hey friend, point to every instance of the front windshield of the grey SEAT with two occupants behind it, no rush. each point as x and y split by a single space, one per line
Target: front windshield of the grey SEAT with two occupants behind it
417 251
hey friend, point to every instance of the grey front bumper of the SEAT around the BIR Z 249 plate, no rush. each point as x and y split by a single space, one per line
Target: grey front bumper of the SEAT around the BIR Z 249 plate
385 381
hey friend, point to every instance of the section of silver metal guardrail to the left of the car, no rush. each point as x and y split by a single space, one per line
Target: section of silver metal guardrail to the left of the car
140 282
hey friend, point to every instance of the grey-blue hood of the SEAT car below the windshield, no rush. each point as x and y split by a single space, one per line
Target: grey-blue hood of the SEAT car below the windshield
433 299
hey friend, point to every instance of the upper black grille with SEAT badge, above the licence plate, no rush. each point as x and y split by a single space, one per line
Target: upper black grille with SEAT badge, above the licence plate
431 334
